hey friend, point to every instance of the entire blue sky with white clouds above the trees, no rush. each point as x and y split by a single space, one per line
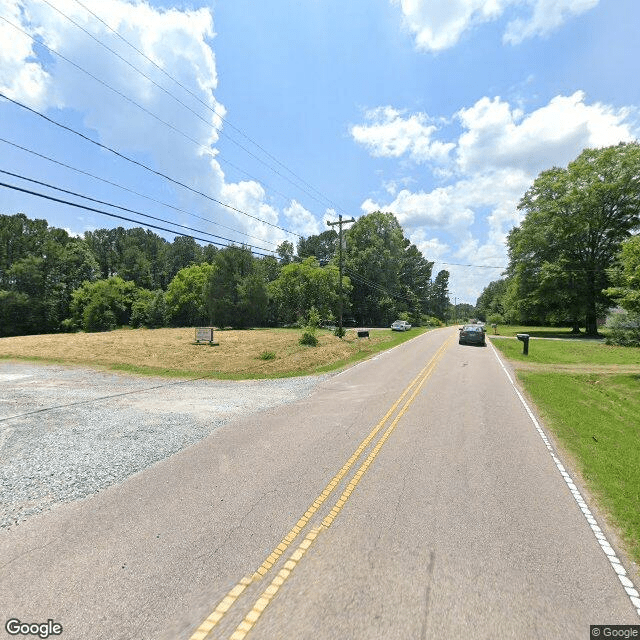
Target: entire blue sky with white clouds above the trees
258 122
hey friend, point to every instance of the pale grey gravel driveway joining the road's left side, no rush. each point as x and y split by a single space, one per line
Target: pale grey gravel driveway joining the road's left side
67 432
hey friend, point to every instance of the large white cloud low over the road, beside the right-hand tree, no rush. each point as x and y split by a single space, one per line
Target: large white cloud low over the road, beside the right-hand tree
495 158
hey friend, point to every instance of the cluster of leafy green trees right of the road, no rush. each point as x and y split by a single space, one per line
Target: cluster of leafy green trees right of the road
576 254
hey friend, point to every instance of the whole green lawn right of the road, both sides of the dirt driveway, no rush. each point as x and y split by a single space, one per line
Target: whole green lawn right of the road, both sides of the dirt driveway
588 394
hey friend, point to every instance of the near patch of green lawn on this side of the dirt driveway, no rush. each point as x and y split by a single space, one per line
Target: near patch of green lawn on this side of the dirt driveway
597 419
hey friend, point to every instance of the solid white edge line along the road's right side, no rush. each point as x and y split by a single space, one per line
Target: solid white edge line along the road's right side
616 565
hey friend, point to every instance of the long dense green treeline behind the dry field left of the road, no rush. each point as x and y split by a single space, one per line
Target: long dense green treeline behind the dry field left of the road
51 281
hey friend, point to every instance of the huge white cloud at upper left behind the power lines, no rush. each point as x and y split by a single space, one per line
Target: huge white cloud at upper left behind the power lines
176 40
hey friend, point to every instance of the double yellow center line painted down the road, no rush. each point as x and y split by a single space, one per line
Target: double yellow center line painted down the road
261 604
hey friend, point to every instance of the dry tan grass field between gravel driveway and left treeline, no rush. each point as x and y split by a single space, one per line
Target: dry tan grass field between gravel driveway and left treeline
173 351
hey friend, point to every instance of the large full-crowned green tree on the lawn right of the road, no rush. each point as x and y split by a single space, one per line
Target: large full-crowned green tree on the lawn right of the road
575 220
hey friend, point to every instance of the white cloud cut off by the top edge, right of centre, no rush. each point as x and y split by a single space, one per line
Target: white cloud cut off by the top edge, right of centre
438 25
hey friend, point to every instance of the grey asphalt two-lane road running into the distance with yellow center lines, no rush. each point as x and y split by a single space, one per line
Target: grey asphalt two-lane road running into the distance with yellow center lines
410 496
